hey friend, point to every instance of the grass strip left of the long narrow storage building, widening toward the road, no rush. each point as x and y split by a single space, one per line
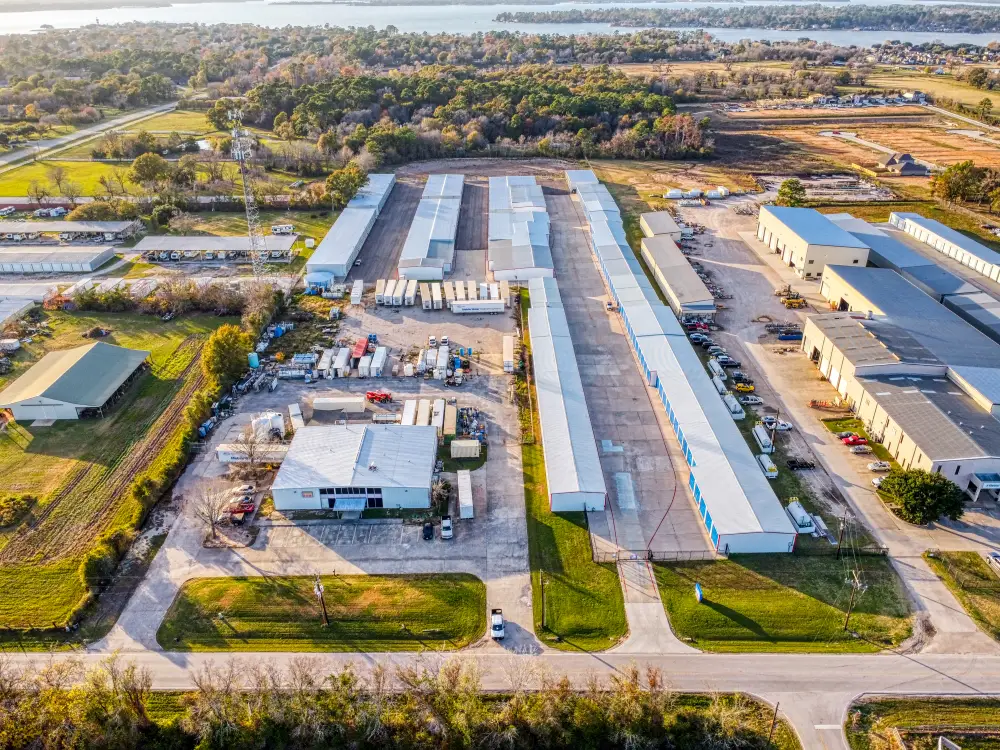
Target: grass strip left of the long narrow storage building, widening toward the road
585 609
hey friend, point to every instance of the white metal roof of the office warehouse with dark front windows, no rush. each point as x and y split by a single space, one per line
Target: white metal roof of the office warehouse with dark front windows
341 456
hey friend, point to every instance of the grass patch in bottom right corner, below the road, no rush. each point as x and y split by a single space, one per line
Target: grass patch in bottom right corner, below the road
869 721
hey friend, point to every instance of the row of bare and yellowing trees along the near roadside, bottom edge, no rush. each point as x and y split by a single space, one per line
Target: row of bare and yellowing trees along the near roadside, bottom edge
255 705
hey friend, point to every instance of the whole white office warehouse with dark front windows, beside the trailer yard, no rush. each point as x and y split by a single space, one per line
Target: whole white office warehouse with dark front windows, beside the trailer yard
357 466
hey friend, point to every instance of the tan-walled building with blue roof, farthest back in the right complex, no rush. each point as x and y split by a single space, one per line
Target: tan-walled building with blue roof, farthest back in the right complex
808 241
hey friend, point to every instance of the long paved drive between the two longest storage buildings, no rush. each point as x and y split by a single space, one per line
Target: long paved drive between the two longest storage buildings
651 507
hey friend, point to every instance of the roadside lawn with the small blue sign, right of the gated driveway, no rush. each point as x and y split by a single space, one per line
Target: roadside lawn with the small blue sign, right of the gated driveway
783 603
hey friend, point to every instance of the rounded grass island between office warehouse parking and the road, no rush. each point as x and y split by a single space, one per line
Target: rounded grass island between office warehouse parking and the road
367 613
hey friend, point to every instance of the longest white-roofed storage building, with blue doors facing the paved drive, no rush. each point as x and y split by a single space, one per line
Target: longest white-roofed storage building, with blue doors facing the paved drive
738 507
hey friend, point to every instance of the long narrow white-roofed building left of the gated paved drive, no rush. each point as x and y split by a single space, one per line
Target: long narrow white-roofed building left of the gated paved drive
572 467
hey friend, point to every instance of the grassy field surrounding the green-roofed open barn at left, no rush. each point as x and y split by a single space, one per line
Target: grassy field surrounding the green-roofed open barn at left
90 459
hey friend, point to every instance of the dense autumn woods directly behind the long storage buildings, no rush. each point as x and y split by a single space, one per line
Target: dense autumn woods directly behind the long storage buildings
448 110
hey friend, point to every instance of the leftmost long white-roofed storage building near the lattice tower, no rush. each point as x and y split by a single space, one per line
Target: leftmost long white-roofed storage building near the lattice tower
338 250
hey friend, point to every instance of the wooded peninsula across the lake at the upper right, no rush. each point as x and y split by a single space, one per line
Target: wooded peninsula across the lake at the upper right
944 18
